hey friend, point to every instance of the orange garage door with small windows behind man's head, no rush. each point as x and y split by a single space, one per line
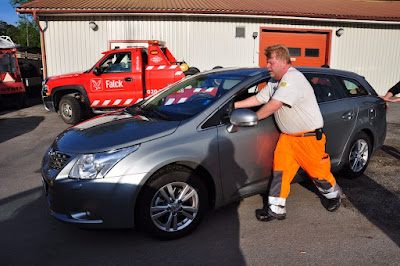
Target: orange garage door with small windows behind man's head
307 48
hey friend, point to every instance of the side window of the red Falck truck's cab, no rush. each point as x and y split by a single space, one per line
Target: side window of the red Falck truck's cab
116 63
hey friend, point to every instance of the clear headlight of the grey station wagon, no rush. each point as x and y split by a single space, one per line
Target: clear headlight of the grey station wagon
97 165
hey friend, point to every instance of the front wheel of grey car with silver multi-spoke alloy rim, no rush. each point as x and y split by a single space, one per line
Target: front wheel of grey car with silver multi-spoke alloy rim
172 204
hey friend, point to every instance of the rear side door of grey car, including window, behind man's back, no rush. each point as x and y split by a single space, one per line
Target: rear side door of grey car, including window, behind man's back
338 110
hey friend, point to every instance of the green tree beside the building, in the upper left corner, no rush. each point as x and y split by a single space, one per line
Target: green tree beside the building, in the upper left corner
26 32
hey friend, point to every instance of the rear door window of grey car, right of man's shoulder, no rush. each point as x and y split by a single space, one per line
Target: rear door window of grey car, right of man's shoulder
325 87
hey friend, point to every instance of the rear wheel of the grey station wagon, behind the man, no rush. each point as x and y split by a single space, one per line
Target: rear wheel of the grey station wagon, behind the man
356 156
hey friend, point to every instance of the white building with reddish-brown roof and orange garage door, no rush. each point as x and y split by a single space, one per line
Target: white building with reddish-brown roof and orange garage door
359 36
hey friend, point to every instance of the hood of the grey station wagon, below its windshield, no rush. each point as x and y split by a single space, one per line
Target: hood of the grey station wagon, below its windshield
112 131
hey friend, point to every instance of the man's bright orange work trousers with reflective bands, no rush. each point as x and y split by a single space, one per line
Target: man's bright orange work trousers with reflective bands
308 153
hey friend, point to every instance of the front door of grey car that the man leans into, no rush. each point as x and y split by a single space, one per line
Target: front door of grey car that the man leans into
246 156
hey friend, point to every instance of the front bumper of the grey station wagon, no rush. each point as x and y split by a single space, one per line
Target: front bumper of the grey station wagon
99 203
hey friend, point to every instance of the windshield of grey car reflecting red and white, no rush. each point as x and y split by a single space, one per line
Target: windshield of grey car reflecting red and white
190 96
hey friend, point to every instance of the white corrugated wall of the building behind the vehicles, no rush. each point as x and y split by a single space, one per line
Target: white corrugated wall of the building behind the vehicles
371 50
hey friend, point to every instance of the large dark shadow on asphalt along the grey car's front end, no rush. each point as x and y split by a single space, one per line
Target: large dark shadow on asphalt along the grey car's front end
31 236
